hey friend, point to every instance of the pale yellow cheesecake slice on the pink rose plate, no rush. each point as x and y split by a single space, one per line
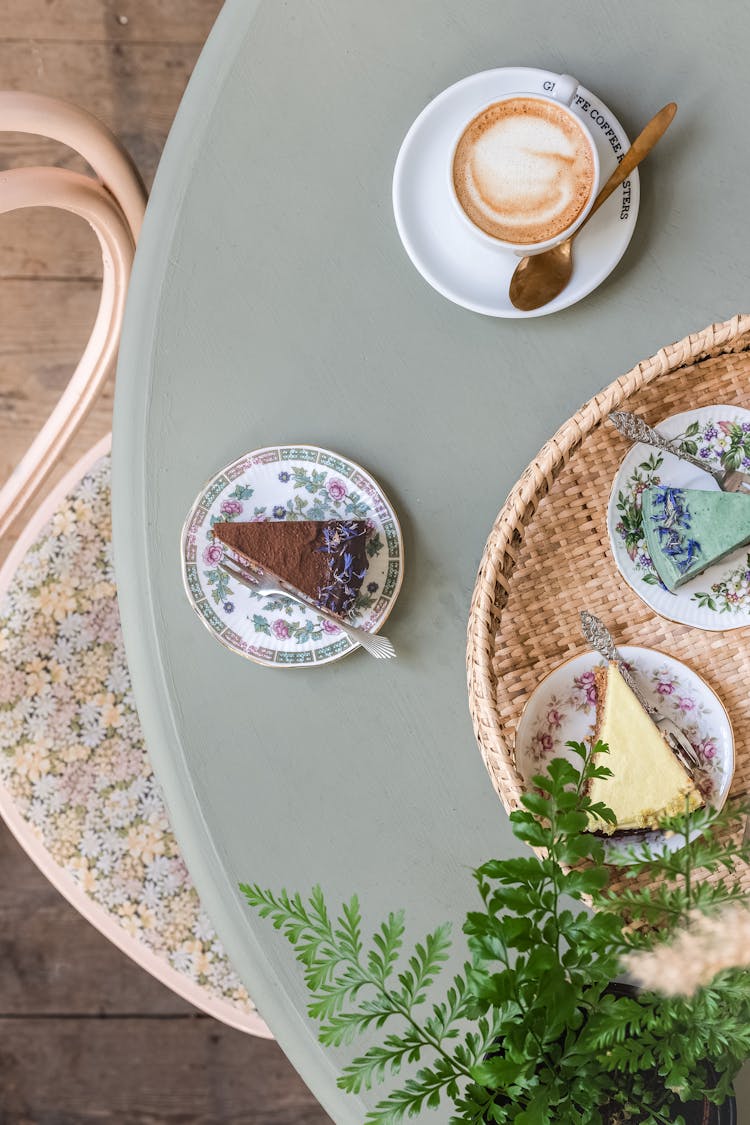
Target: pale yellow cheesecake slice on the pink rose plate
648 782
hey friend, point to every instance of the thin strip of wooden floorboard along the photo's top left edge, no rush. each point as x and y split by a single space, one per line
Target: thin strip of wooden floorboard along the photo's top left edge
118 21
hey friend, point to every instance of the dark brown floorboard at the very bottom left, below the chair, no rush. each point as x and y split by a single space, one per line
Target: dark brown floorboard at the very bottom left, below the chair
147 1073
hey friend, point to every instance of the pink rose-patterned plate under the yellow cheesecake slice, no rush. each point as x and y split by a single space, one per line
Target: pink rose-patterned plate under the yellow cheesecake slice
564 709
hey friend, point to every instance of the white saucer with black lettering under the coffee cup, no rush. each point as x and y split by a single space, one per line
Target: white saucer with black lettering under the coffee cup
445 250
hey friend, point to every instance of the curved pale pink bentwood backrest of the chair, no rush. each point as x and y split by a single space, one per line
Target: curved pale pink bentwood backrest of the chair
114 205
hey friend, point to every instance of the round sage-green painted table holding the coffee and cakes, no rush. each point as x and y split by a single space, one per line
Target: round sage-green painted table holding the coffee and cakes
273 302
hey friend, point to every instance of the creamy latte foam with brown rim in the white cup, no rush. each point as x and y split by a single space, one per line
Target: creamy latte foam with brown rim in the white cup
523 170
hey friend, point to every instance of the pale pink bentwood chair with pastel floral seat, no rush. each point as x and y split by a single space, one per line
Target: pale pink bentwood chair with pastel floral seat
77 789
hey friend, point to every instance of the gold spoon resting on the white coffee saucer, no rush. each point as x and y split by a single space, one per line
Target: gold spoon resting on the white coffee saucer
539 278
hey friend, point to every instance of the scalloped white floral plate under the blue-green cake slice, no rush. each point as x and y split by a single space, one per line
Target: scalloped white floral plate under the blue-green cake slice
719 598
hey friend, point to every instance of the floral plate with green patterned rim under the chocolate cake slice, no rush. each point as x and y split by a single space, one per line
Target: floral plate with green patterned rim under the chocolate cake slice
288 483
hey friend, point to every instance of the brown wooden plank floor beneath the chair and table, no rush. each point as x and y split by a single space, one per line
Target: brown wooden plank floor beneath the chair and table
85 1034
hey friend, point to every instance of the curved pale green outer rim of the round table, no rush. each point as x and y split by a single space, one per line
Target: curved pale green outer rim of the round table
140 615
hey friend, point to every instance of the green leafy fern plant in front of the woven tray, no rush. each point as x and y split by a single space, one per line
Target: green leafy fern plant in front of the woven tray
530 1031
